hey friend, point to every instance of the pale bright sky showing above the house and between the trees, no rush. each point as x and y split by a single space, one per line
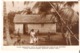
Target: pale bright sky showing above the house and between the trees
19 5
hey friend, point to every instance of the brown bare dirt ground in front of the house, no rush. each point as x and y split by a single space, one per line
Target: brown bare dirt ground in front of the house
54 39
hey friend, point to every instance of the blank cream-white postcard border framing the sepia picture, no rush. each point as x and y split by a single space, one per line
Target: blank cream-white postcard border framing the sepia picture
72 49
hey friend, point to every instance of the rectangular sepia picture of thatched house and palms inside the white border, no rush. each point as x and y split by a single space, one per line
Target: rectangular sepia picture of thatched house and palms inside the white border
40 23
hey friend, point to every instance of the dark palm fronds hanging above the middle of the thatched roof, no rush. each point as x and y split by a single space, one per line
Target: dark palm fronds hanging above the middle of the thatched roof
44 7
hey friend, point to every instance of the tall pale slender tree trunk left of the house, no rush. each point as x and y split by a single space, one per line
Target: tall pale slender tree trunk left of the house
7 34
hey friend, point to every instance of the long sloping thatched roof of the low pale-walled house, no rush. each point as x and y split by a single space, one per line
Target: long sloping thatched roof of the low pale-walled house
33 19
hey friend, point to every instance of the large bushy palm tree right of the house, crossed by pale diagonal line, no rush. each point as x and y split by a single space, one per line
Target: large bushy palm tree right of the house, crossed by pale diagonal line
68 17
